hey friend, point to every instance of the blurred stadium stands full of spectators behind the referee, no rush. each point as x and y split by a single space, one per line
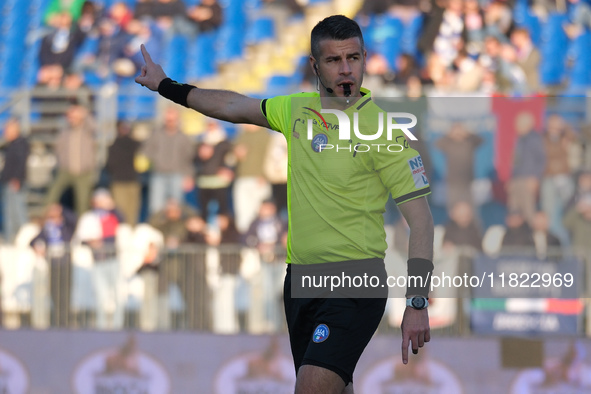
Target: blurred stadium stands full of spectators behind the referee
118 206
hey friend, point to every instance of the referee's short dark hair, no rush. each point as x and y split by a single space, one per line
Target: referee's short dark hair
335 27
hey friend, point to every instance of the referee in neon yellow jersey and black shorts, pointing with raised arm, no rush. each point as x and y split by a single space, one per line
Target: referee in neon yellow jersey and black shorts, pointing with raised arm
336 197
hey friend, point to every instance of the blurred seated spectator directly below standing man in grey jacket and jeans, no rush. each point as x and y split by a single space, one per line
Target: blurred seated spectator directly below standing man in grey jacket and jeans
170 221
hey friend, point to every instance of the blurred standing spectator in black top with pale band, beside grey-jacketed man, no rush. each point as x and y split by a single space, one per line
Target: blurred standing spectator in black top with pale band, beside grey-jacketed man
213 162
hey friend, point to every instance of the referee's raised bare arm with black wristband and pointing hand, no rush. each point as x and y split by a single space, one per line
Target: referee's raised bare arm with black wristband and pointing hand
219 104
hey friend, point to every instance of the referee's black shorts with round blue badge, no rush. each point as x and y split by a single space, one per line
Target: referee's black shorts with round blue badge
330 332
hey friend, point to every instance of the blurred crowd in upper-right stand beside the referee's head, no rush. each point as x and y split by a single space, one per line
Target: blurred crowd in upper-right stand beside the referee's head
470 46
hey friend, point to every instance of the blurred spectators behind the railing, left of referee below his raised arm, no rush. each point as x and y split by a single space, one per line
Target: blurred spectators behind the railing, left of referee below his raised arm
197 192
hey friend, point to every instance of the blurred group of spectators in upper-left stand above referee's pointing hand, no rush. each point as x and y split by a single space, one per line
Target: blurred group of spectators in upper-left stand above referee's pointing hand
84 38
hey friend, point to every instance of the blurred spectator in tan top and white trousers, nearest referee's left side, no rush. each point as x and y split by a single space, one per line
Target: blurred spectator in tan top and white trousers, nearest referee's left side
250 186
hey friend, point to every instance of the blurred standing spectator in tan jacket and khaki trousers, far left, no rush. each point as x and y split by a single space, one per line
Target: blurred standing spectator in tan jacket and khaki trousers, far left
75 150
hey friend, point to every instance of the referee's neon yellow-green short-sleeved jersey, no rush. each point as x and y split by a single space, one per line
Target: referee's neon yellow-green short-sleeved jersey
338 188
